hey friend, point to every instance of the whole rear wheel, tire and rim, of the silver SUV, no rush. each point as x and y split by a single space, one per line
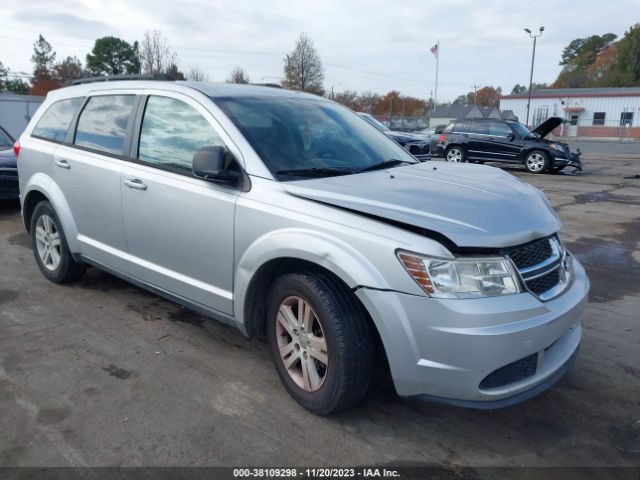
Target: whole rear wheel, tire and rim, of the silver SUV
50 246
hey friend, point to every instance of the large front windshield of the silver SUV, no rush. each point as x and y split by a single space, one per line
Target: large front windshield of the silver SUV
301 138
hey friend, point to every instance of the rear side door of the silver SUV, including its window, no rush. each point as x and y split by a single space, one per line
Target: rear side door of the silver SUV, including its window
87 169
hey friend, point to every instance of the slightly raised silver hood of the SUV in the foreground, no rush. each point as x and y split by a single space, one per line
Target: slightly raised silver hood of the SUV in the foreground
470 205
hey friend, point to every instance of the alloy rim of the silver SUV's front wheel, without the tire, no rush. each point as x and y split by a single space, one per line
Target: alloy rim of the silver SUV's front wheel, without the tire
302 344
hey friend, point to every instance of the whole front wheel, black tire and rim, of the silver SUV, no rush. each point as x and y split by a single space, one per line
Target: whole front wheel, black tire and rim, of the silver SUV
338 352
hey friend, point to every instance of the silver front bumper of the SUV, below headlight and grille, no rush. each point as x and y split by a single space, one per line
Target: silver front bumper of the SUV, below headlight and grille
444 349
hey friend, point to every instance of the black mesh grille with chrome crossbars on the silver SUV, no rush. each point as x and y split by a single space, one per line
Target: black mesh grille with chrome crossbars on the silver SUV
543 266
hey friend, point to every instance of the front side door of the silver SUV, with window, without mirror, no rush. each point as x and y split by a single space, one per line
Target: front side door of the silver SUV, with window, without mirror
179 228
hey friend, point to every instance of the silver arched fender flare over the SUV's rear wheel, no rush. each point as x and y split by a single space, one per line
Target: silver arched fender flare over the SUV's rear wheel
44 184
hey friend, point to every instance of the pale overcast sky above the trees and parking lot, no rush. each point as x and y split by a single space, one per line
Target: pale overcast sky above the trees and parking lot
364 45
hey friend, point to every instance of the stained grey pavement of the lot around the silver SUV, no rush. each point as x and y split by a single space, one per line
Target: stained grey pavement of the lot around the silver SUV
103 373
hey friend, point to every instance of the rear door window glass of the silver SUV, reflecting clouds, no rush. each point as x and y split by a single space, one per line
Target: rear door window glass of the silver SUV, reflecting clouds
103 123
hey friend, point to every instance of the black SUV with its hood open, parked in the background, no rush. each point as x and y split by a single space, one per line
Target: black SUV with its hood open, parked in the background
480 140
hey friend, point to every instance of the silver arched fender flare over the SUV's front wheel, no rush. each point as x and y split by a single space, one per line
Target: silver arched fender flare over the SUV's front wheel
321 249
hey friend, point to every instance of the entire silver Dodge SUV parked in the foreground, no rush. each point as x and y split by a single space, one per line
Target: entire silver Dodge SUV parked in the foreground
287 215
